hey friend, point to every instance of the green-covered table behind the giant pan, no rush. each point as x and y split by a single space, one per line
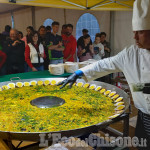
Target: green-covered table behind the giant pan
29 75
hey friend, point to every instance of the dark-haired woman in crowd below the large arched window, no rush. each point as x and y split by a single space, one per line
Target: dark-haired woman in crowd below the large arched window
85 50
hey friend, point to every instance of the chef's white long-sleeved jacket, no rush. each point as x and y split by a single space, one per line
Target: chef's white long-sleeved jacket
134 62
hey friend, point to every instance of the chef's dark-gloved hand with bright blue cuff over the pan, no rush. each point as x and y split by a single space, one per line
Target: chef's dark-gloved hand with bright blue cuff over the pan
71 79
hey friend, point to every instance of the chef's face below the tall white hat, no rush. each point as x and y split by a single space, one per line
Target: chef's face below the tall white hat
142 39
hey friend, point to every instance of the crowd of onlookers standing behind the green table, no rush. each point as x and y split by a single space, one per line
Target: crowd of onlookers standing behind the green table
37 49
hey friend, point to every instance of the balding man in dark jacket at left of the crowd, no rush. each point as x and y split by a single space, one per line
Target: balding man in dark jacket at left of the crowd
14 48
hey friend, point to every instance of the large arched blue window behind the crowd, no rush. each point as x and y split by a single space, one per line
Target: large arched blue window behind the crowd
89 22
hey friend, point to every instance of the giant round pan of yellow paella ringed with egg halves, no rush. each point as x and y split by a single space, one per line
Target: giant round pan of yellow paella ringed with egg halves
71 112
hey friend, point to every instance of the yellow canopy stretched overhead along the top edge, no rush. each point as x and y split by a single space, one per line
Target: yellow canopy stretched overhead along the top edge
79 4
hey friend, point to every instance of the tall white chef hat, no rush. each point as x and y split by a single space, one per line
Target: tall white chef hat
141 15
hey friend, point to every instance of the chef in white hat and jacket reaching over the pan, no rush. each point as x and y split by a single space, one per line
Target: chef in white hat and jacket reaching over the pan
134 62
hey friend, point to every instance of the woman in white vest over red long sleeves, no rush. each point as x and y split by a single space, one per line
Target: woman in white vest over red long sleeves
34 53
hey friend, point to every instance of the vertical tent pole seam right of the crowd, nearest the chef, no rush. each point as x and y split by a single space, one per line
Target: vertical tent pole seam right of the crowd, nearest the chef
111 38
